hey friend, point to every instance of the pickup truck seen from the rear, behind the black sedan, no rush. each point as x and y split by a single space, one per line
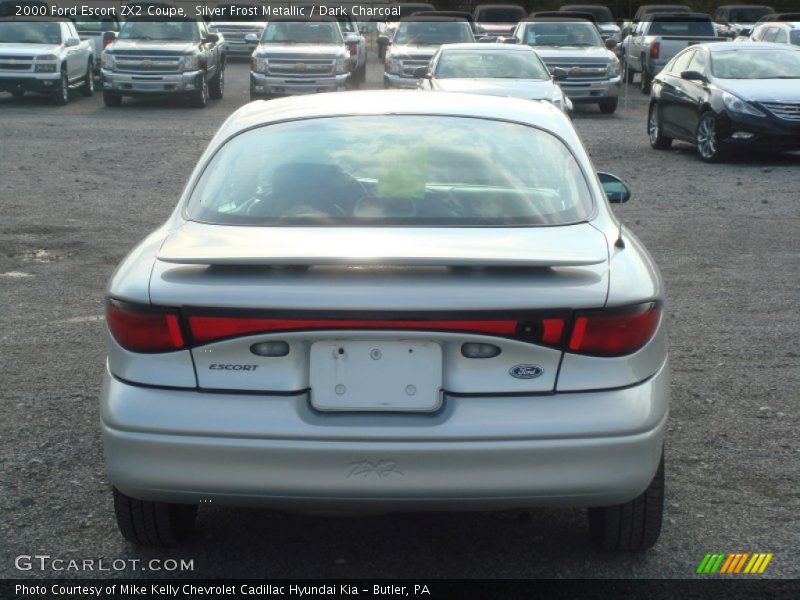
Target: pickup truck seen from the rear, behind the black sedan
654 42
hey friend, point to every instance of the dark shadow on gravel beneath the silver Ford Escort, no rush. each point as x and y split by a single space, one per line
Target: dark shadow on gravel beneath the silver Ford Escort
258 543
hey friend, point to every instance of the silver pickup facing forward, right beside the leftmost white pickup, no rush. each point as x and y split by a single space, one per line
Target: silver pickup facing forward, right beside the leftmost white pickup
177 57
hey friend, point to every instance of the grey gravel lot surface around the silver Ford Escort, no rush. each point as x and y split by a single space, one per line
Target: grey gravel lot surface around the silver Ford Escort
81 184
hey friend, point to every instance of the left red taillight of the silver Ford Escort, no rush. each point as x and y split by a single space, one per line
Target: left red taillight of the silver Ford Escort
141 328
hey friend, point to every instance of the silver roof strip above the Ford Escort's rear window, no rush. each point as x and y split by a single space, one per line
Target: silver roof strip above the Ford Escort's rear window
398 102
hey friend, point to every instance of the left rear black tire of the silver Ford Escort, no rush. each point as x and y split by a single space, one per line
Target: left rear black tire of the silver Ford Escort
148 523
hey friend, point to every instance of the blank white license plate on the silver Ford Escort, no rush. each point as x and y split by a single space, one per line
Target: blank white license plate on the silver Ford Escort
376 375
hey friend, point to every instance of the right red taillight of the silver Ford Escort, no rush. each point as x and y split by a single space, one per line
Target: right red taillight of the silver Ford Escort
614 332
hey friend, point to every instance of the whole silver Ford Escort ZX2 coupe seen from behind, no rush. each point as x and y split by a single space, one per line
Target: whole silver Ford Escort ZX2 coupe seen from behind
446 316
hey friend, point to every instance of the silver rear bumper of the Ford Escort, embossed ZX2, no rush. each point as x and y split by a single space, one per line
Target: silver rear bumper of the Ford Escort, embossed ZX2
580 449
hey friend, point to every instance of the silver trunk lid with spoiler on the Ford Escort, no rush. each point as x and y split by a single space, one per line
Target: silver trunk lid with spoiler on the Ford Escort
429 278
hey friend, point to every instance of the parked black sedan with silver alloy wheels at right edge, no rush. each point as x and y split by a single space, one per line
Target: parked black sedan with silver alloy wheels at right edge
721 95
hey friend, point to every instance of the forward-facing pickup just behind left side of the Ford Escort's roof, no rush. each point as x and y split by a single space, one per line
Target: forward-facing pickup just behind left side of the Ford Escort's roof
299 57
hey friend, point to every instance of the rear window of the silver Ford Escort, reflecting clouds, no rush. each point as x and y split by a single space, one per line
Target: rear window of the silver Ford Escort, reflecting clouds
420 171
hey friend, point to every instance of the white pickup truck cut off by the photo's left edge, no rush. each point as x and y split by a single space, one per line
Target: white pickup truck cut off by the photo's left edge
46 56
